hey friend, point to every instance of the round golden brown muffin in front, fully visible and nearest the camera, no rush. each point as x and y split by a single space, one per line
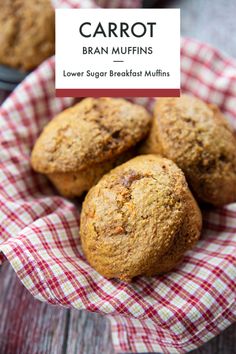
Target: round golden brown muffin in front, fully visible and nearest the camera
139 219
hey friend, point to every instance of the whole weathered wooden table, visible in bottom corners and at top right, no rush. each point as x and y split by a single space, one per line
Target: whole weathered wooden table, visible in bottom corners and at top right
28 326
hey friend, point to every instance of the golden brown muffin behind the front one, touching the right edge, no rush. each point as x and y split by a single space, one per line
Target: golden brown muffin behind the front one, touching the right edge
198 139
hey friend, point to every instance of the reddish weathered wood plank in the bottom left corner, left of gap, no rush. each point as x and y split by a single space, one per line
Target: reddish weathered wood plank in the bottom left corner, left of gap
27 326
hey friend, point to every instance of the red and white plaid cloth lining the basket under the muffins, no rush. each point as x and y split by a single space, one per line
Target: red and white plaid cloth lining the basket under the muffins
39 234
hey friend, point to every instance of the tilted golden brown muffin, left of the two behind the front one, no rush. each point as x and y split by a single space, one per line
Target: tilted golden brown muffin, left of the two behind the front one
85 141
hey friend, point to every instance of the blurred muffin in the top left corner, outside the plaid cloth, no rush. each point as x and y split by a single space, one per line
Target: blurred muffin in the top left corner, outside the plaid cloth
26 32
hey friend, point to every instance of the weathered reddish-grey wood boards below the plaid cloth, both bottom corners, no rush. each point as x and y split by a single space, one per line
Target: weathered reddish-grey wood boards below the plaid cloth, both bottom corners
28 326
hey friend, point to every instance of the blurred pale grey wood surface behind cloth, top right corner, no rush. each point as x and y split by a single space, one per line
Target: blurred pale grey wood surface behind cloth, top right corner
210 21
